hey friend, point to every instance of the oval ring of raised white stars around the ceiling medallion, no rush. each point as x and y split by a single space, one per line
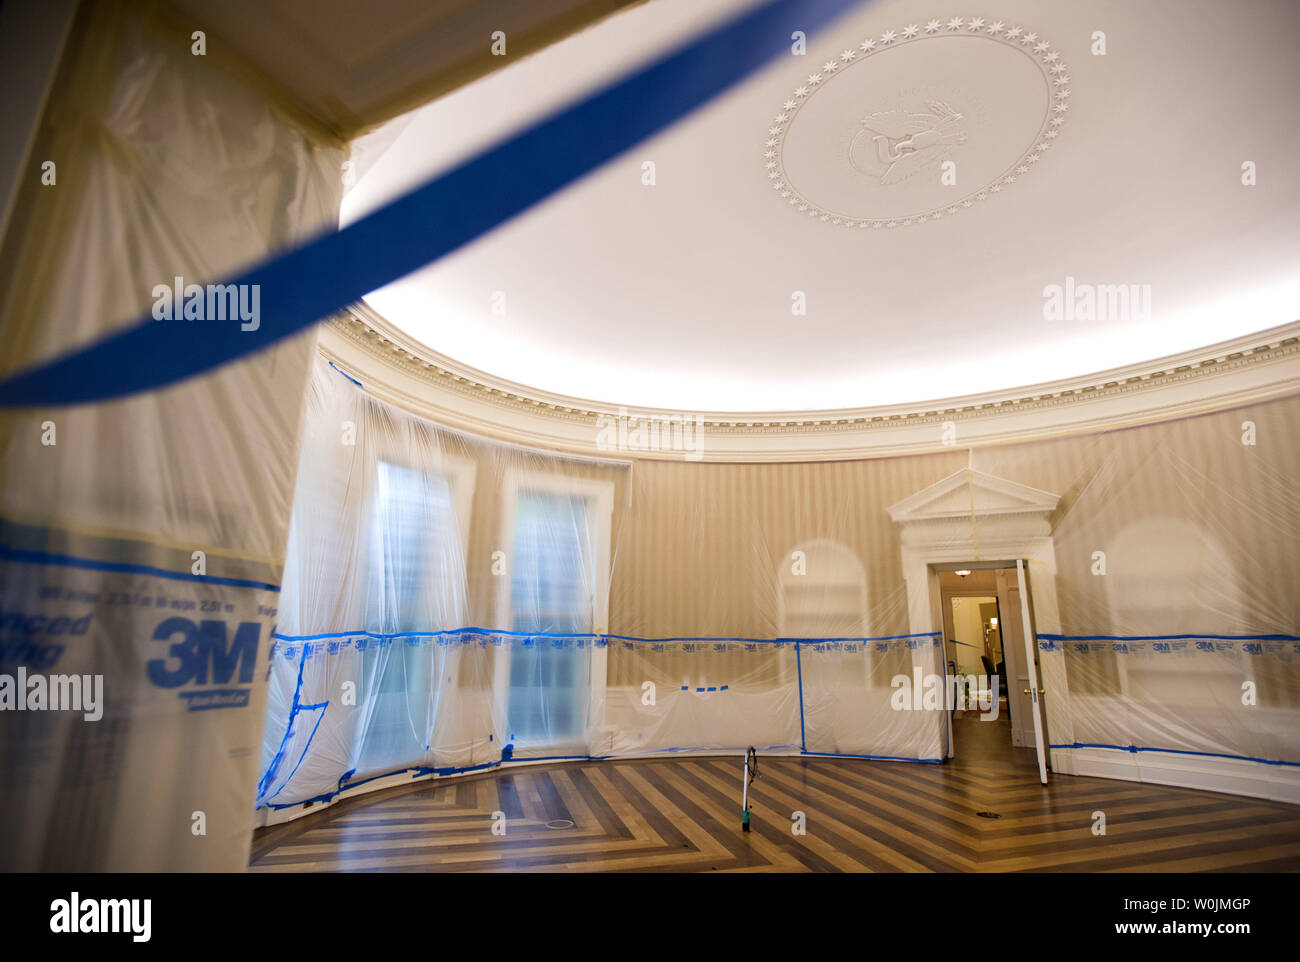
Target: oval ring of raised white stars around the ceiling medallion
1041 51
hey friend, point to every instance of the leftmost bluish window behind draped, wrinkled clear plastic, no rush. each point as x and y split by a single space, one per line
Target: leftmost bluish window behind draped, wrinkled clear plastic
415 583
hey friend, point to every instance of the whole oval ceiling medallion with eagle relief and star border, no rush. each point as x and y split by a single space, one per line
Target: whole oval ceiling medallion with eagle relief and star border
866 140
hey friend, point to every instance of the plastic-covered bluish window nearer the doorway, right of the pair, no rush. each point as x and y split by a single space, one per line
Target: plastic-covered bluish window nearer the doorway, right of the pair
560 538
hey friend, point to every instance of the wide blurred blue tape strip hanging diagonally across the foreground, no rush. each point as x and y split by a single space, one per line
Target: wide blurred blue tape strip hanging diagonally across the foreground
339 268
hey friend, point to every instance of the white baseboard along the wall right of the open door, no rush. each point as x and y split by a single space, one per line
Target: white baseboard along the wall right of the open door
1229 775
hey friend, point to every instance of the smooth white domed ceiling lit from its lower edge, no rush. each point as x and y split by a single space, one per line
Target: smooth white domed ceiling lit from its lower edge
681 296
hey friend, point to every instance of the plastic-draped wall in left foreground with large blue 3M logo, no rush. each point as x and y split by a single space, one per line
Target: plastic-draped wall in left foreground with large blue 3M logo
142 541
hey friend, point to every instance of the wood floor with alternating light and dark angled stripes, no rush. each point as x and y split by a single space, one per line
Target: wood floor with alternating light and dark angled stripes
682 816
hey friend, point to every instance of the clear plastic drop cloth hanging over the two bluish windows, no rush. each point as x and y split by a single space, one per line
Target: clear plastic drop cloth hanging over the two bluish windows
445 601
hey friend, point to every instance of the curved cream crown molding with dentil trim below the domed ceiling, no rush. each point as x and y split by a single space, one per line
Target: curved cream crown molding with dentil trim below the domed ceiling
397 369
